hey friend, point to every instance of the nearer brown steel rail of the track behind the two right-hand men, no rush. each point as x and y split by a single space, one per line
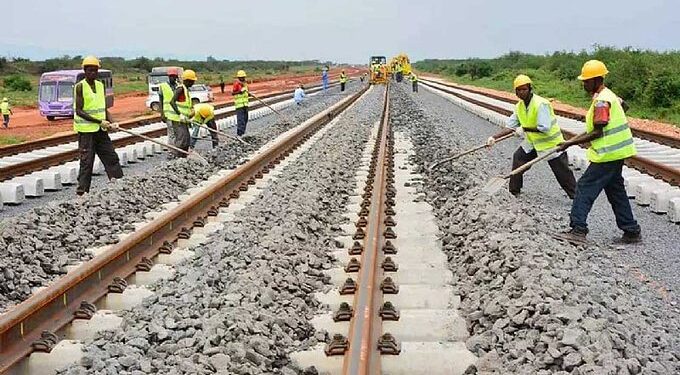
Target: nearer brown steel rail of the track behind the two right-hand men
641 163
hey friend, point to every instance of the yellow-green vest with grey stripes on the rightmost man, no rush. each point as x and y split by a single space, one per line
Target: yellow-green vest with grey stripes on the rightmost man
616 142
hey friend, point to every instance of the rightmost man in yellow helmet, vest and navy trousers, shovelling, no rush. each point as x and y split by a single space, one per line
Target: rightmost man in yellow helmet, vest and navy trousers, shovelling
611 143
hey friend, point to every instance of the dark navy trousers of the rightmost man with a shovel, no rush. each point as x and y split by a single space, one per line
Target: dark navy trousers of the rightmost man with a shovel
607 177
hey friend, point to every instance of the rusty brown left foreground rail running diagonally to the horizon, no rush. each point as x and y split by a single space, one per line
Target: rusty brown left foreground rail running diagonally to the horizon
34 325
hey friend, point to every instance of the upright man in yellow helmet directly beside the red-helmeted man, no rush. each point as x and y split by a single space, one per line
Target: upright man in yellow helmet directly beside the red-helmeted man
181 111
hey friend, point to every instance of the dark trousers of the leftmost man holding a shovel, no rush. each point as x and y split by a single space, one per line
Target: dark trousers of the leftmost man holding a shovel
100 144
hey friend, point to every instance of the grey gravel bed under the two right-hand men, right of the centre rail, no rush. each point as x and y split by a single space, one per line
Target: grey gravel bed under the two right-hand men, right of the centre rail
535 305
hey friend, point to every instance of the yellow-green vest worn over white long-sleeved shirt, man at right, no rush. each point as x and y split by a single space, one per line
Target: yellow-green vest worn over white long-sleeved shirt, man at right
528 119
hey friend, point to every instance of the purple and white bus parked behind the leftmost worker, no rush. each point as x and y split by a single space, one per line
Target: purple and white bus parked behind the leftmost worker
55 93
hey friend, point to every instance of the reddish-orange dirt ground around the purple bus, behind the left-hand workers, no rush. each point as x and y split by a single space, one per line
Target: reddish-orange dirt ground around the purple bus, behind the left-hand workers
28 124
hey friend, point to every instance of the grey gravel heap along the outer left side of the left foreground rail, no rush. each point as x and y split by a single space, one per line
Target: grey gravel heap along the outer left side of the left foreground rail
36 245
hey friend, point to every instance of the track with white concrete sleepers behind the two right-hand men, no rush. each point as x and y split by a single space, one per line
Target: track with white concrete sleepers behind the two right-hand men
652 176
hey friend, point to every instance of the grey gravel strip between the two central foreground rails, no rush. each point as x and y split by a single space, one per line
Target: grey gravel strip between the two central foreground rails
243 303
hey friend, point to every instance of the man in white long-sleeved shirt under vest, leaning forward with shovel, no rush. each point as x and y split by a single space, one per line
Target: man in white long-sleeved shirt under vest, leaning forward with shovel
534 120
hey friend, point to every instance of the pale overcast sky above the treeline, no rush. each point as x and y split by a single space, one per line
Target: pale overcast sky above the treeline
338 30
